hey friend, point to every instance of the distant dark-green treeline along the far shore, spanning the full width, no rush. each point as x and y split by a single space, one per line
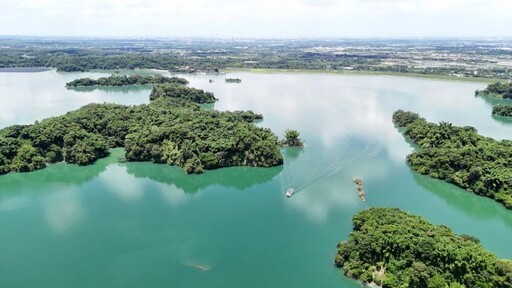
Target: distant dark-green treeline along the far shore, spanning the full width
79 60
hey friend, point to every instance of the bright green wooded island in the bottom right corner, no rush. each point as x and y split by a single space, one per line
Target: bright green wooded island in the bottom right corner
391 248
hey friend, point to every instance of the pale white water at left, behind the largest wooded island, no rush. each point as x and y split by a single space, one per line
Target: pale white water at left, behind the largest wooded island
27 97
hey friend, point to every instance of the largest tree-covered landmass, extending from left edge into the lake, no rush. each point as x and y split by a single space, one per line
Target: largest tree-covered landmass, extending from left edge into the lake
172 129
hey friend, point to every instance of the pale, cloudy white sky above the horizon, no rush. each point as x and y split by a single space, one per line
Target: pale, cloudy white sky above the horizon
257 18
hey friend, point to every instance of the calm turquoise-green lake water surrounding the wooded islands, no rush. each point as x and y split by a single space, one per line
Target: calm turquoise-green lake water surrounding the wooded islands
147 225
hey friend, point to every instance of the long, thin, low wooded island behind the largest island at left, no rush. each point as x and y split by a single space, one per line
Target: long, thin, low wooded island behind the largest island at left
123 80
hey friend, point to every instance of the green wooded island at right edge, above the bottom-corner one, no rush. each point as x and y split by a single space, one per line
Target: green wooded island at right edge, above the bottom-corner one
459 155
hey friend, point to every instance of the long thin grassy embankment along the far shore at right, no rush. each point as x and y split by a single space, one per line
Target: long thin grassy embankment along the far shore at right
363 73
